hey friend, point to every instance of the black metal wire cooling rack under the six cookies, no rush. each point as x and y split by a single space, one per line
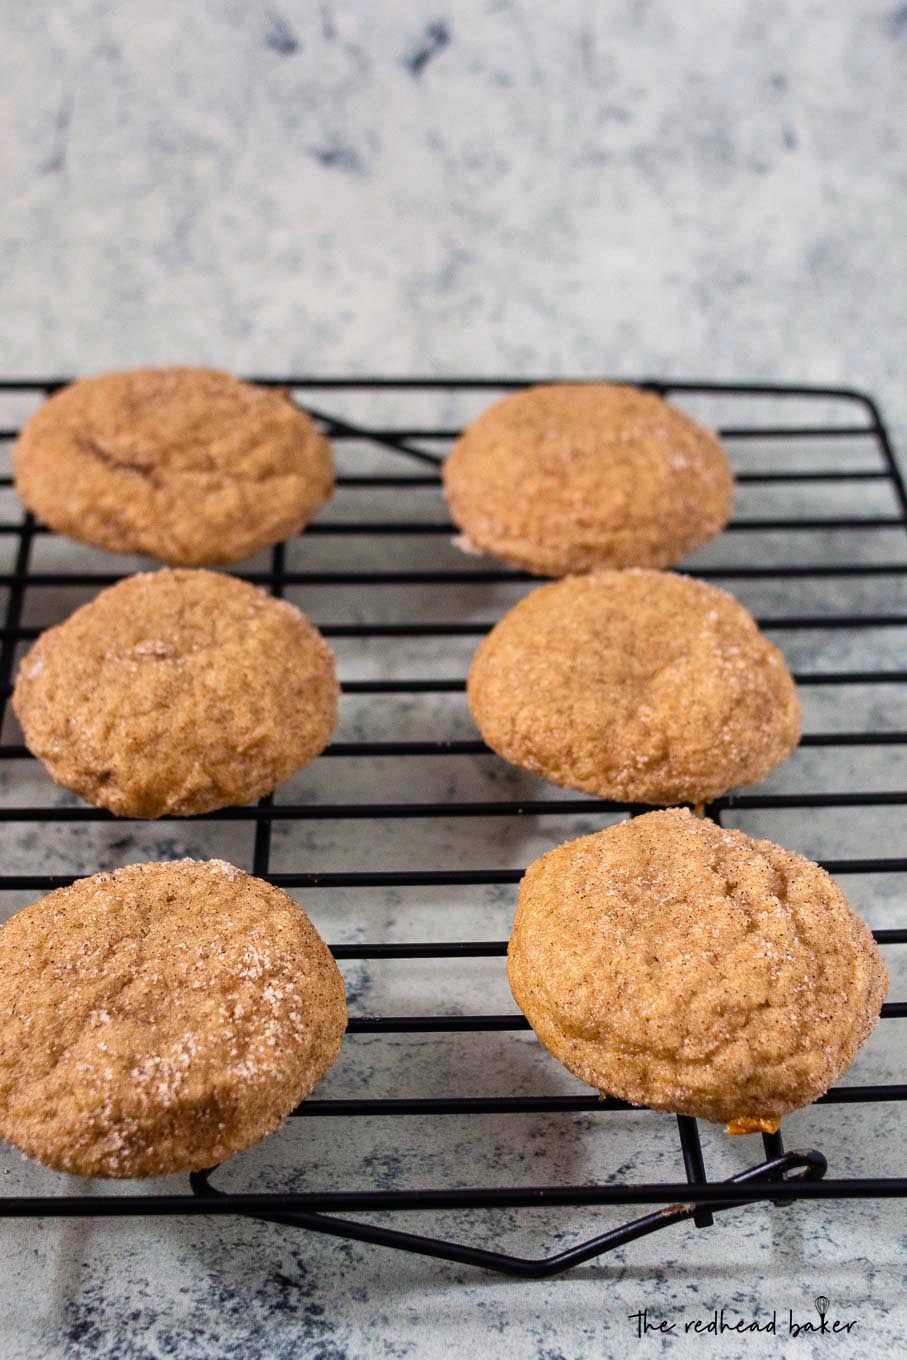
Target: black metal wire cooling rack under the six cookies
803 1173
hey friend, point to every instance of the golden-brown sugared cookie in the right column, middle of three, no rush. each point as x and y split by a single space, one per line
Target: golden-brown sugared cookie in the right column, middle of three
637 686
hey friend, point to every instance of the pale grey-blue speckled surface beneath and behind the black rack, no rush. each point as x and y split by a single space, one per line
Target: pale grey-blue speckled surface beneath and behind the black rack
626 190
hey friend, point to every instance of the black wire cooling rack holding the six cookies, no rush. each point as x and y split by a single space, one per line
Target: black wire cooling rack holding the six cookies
769 418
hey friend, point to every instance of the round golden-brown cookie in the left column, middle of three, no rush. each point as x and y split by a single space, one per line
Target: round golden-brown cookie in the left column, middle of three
177 693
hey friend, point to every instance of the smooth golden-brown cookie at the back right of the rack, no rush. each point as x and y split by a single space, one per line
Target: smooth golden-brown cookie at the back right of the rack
573 478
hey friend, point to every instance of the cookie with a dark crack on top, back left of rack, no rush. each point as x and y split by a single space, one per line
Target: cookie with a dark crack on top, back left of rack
188 466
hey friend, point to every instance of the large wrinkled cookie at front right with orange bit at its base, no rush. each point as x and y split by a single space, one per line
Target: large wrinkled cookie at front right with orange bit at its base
679 966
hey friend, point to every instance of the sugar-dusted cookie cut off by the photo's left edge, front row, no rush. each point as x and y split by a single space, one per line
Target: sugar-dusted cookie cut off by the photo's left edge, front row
161 1019
